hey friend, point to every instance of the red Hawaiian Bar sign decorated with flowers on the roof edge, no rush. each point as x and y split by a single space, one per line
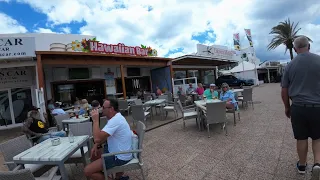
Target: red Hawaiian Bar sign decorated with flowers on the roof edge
97 47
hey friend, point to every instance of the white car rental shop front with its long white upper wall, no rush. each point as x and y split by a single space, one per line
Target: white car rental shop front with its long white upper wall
18 73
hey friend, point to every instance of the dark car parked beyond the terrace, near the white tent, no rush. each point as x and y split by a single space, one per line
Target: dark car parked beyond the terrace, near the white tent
233 81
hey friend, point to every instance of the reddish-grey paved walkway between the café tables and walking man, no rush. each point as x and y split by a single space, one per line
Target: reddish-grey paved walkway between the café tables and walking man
260 147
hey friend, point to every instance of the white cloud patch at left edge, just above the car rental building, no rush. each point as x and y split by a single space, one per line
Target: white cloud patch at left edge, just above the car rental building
10 25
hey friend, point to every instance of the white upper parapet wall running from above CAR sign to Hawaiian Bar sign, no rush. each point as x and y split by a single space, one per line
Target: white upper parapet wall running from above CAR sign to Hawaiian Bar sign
43 40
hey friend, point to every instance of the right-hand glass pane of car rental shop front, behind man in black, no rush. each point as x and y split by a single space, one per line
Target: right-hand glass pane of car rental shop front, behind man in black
21 103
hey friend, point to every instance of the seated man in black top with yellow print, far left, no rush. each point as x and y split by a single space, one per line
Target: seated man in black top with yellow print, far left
35 127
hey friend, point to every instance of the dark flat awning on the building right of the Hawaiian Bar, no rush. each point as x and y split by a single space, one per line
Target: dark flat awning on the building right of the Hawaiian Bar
193 60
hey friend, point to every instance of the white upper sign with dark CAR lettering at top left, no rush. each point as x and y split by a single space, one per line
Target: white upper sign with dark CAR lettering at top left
17 47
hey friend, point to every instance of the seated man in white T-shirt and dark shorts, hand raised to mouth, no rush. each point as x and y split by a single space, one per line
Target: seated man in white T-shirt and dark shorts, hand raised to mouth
116 133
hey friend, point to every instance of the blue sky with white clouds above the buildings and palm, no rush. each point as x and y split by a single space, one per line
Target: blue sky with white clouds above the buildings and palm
174 28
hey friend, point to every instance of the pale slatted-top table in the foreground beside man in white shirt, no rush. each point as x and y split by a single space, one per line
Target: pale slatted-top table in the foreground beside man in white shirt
46 154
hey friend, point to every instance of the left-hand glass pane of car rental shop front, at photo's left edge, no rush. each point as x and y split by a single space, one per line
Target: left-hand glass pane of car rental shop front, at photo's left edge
5 111
